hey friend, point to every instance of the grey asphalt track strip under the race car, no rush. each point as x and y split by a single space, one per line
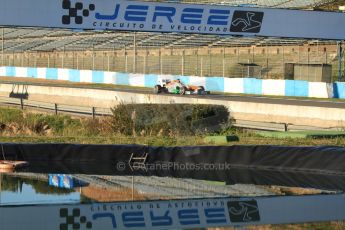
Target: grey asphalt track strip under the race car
214 96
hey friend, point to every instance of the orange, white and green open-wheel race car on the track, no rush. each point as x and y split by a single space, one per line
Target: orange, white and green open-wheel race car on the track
177 87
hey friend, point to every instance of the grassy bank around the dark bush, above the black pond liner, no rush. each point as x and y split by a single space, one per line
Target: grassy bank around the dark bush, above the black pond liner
25 126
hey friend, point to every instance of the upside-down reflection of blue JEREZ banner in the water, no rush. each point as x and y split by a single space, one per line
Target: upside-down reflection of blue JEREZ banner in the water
176 214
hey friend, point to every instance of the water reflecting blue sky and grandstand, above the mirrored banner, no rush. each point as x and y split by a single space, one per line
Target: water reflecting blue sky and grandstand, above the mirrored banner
34 188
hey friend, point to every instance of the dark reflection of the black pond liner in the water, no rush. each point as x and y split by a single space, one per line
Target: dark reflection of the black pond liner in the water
233 175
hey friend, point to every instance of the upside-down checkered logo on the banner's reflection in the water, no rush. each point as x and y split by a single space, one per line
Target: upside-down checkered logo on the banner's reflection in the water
74 221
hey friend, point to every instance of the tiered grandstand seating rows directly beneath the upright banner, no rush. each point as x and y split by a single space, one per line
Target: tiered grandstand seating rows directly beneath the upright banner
21 40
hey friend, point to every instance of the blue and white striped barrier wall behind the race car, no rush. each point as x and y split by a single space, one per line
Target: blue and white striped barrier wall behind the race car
227 85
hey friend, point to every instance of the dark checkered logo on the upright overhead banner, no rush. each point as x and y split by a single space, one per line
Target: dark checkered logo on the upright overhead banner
76 12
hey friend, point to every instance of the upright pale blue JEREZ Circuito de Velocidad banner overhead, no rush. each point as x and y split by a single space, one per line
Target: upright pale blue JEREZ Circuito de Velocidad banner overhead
171 17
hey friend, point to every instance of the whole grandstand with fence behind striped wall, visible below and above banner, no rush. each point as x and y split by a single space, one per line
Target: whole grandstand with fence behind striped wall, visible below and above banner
169 53
